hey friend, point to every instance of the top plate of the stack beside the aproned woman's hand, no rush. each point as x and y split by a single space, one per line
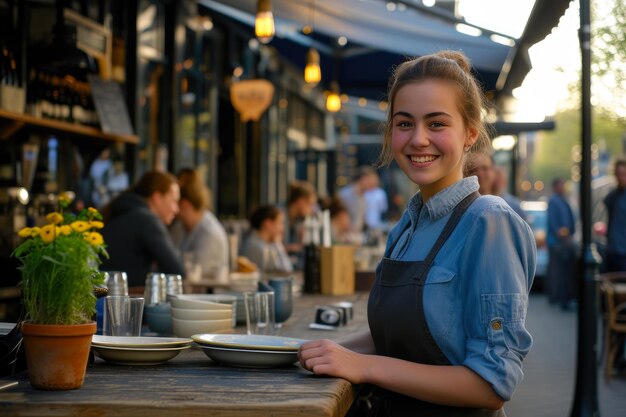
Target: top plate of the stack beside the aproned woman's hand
249 341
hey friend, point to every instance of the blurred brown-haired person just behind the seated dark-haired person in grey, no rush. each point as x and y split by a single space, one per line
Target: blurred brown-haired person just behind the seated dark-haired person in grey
301 203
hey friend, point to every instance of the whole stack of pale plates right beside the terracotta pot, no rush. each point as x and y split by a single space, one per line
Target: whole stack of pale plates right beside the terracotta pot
137 350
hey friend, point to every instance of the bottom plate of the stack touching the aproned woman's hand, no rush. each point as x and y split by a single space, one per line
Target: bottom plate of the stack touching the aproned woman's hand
249 358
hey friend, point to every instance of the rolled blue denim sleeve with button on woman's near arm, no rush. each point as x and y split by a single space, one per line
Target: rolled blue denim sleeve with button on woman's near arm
499 262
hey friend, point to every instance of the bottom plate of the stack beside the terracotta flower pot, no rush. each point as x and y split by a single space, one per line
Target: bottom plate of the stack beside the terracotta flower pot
137 356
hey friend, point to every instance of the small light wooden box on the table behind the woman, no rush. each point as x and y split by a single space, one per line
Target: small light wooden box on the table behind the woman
337 270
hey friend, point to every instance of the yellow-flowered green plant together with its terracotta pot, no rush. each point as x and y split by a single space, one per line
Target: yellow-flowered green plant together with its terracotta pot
59 268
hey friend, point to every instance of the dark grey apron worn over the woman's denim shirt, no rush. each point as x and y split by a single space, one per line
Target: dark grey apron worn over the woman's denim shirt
397 297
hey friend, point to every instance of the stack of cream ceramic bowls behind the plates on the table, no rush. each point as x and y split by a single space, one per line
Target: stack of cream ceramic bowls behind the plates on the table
202 313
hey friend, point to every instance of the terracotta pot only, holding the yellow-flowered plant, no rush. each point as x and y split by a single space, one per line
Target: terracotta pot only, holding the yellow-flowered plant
57 355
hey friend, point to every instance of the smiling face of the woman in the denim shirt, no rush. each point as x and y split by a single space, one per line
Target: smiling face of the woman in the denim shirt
428 135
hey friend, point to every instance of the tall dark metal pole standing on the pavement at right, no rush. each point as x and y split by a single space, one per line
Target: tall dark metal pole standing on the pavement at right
586 394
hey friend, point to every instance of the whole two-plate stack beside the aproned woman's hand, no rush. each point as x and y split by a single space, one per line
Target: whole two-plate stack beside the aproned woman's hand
250 351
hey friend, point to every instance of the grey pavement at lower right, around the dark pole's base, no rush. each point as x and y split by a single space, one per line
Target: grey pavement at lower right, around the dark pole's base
550 368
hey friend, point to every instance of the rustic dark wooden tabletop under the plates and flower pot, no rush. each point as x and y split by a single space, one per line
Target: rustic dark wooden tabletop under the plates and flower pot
192 385
